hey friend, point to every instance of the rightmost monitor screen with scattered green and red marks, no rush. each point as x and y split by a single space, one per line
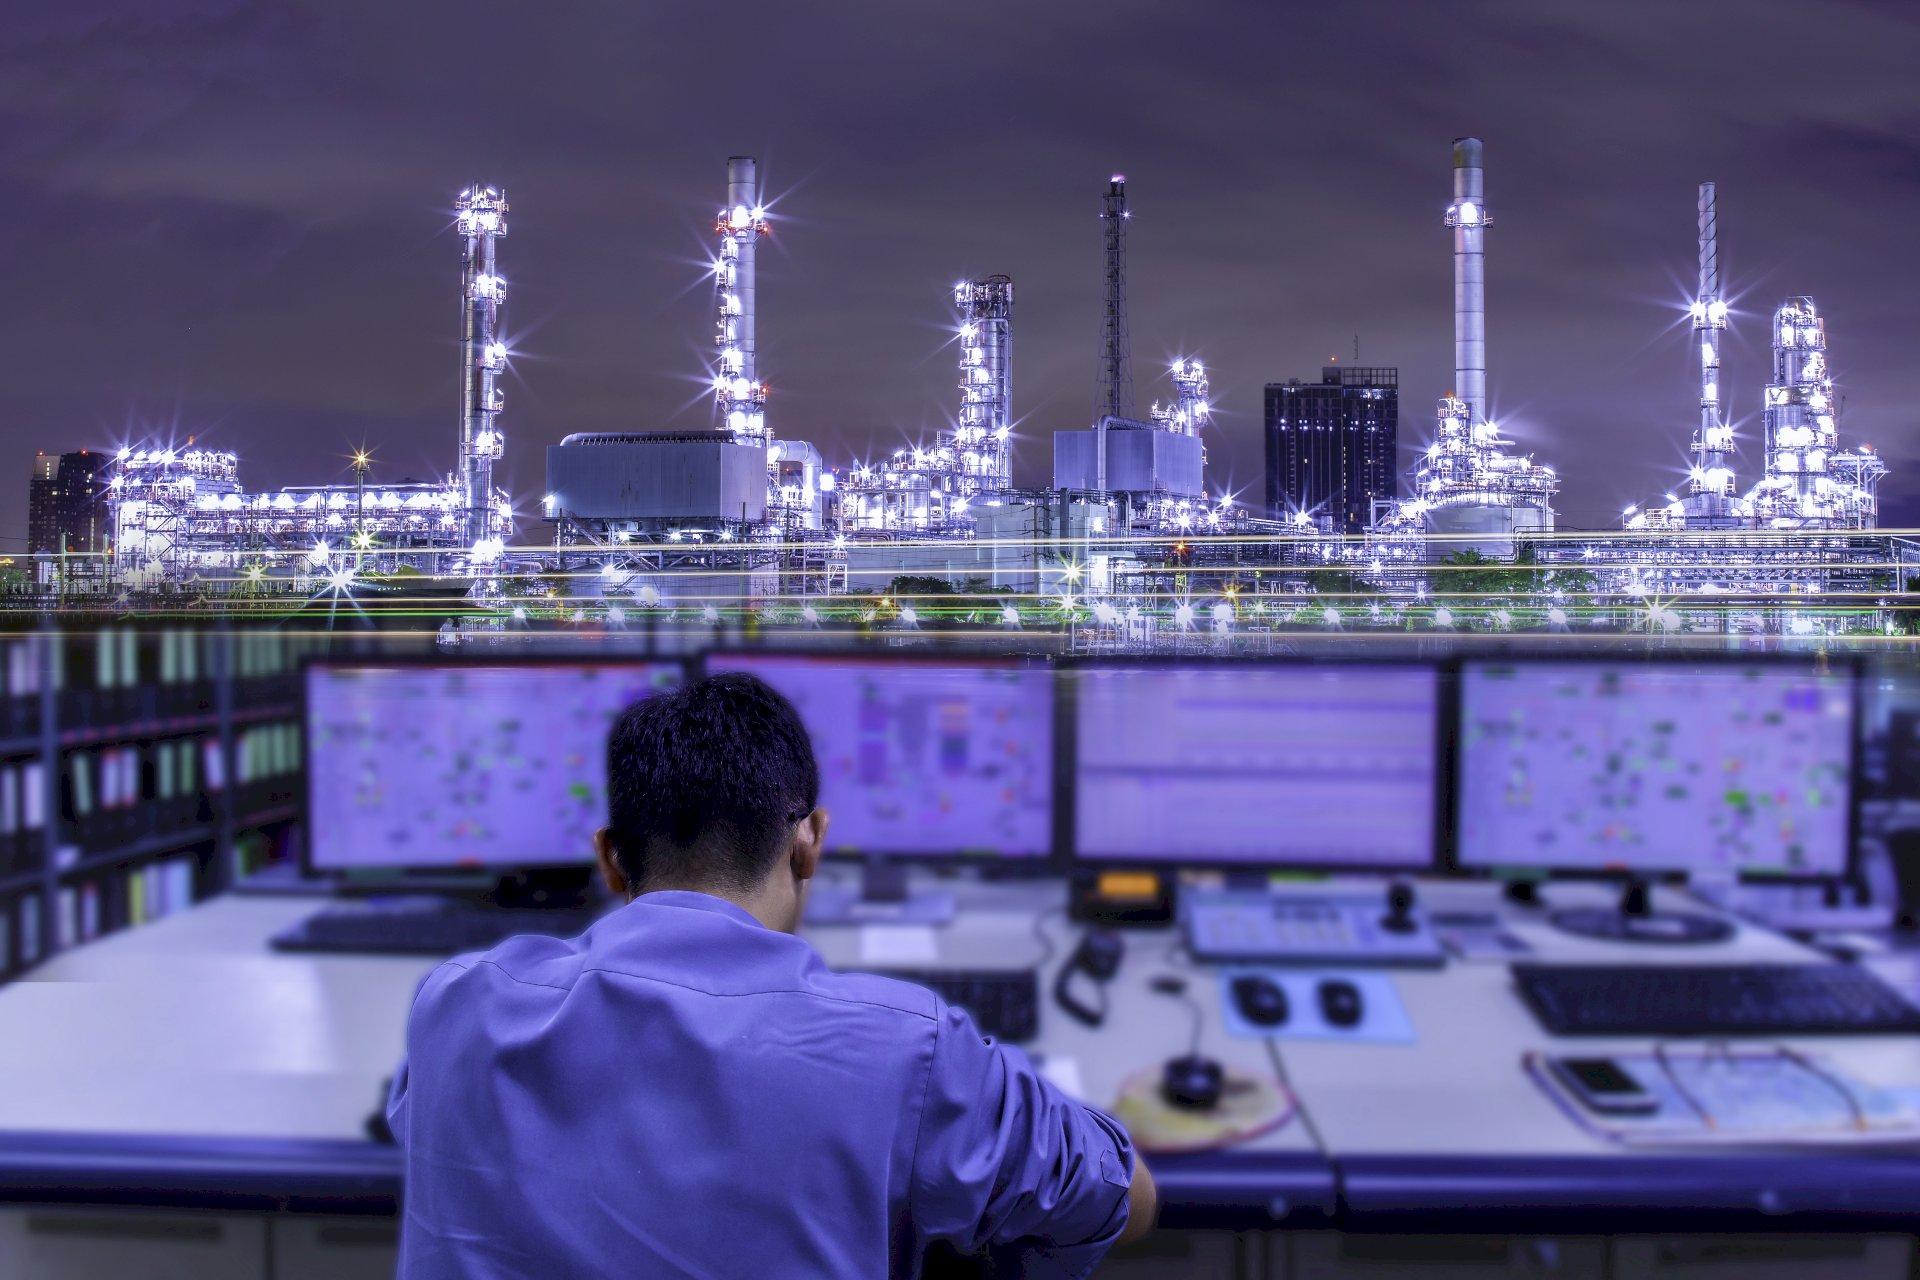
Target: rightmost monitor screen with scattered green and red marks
1631 767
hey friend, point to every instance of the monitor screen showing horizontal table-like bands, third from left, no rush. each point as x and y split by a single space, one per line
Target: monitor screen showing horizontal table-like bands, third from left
1274 767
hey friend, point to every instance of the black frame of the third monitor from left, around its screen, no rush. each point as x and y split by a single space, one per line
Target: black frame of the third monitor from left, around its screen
1068 686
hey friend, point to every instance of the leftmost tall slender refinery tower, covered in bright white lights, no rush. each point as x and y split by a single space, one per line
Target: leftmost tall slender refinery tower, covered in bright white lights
483 222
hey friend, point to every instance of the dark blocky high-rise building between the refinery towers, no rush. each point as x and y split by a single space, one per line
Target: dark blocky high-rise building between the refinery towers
1332 446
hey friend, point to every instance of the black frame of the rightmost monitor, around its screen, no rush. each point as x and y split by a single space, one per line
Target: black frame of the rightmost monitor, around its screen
1840 665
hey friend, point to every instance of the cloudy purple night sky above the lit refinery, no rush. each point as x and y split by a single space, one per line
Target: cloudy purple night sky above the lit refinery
233 220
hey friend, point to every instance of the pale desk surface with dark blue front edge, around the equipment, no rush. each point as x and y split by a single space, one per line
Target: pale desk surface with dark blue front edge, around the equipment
187 1055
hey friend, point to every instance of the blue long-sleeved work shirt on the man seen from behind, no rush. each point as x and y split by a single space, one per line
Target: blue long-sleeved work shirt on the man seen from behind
683 1091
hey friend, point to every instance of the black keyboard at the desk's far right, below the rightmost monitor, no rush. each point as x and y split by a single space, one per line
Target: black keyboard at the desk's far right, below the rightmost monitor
1714 1001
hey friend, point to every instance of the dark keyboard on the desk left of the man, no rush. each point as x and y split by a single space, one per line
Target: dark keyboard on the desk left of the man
412 930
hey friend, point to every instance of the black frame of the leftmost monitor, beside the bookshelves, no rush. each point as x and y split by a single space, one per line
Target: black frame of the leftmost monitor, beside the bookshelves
433 874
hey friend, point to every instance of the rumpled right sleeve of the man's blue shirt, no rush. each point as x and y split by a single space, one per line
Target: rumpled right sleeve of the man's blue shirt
1007 1158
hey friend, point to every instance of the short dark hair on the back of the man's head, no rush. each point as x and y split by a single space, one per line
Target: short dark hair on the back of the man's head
706 782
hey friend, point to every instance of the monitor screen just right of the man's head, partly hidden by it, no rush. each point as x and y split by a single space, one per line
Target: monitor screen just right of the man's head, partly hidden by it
924 757
